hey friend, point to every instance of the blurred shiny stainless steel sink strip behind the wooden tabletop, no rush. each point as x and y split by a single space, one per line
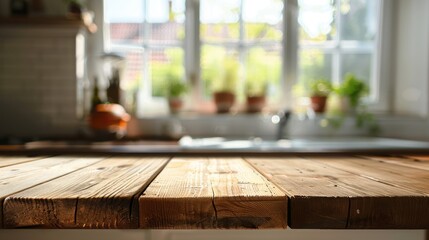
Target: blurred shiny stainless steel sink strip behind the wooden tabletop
302 144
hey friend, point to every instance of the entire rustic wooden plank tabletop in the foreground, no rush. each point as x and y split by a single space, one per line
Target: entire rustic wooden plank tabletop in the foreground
315 192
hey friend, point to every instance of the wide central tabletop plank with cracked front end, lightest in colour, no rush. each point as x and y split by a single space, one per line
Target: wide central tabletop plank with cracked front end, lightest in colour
212 193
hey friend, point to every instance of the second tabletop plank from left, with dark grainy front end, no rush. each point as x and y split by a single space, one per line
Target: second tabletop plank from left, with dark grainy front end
103 195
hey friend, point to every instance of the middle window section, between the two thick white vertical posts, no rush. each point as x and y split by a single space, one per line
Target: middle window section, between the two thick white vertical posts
246 34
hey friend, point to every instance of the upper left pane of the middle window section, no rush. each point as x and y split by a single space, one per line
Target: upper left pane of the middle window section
219 20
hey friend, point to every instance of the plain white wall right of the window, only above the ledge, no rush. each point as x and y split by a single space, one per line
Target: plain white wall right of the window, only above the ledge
411 62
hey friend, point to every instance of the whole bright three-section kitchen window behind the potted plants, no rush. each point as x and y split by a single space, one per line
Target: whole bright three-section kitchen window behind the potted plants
204 37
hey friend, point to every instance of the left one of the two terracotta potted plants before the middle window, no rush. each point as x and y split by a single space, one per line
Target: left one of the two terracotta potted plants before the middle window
224 92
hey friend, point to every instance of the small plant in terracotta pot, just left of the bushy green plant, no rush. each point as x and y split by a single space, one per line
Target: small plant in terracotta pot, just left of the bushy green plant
319 92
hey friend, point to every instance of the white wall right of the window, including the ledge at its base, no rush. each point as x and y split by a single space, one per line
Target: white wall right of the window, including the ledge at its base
409 69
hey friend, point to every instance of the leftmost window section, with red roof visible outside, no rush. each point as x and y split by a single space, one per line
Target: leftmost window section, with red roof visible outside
150 34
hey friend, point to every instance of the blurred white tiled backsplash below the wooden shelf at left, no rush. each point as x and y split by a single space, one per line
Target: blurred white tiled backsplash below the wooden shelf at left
40 88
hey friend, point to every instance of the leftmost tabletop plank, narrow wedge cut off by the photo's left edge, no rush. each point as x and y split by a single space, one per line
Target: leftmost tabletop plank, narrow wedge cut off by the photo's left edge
19 177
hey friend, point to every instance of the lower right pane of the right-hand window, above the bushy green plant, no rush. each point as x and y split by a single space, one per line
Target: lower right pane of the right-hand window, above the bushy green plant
357 64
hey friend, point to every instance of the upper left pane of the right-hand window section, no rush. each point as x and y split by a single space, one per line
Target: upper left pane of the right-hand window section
316 20
